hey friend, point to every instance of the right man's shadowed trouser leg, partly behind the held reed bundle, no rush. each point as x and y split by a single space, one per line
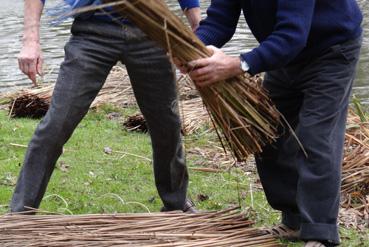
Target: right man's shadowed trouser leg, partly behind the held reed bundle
276 165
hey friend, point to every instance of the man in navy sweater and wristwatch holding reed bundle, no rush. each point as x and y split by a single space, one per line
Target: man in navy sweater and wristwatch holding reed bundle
309 51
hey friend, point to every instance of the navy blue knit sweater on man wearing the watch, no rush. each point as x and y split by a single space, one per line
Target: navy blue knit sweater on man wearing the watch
289 31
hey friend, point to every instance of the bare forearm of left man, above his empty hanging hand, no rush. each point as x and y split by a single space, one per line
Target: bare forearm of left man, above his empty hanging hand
32 16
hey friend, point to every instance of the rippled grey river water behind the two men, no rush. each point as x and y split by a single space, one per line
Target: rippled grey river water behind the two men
53 39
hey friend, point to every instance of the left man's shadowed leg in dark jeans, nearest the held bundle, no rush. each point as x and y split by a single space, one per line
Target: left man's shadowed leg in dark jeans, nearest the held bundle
154 85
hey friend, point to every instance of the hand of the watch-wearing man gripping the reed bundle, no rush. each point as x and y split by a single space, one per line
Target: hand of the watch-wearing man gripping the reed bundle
218 67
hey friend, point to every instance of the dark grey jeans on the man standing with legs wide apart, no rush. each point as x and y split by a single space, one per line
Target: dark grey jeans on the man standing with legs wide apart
94 48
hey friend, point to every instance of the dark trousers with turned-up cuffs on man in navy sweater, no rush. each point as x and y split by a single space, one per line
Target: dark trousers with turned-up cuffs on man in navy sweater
314 97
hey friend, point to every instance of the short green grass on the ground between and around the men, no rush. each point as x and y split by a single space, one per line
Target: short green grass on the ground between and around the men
87 180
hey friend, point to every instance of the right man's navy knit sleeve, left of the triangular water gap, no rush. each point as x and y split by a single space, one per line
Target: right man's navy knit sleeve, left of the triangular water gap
220 23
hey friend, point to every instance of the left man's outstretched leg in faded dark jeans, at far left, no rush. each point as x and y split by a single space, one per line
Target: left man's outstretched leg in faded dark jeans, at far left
82 74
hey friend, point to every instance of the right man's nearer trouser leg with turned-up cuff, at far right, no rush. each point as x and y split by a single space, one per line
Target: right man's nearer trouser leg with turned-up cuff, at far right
326 85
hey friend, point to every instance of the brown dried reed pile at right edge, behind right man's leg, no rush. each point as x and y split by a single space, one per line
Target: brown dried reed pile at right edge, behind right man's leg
355 168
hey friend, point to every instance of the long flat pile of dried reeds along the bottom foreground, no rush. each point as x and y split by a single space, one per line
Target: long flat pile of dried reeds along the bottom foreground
226 228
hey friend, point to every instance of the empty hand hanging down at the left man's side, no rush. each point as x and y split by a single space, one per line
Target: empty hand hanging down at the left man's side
30 60
